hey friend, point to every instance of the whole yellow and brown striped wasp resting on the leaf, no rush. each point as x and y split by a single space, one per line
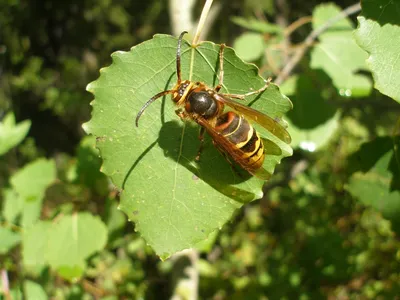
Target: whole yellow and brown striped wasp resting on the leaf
231 132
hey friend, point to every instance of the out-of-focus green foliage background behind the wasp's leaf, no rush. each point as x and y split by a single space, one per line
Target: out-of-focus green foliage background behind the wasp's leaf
326 227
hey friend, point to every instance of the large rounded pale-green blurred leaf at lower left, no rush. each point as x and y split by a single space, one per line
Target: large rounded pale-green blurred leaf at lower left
72 240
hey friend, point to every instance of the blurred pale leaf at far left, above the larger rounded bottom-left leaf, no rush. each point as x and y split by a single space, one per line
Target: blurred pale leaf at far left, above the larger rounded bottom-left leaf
30 184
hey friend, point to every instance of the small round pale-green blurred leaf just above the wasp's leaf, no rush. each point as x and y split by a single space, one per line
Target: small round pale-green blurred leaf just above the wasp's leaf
249 46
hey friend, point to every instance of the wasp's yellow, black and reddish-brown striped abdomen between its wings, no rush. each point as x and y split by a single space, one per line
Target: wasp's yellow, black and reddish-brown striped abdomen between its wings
247 146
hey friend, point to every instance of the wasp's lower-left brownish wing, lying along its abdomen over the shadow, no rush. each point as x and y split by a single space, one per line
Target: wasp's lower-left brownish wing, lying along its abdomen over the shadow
235 153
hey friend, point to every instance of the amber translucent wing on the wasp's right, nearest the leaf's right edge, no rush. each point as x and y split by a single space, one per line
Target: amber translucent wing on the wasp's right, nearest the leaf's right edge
265 121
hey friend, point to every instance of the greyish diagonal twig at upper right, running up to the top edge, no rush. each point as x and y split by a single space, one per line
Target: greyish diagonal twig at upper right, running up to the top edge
294 60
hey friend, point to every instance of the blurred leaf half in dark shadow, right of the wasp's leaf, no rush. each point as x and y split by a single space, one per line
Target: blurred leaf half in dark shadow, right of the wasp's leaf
313 121
